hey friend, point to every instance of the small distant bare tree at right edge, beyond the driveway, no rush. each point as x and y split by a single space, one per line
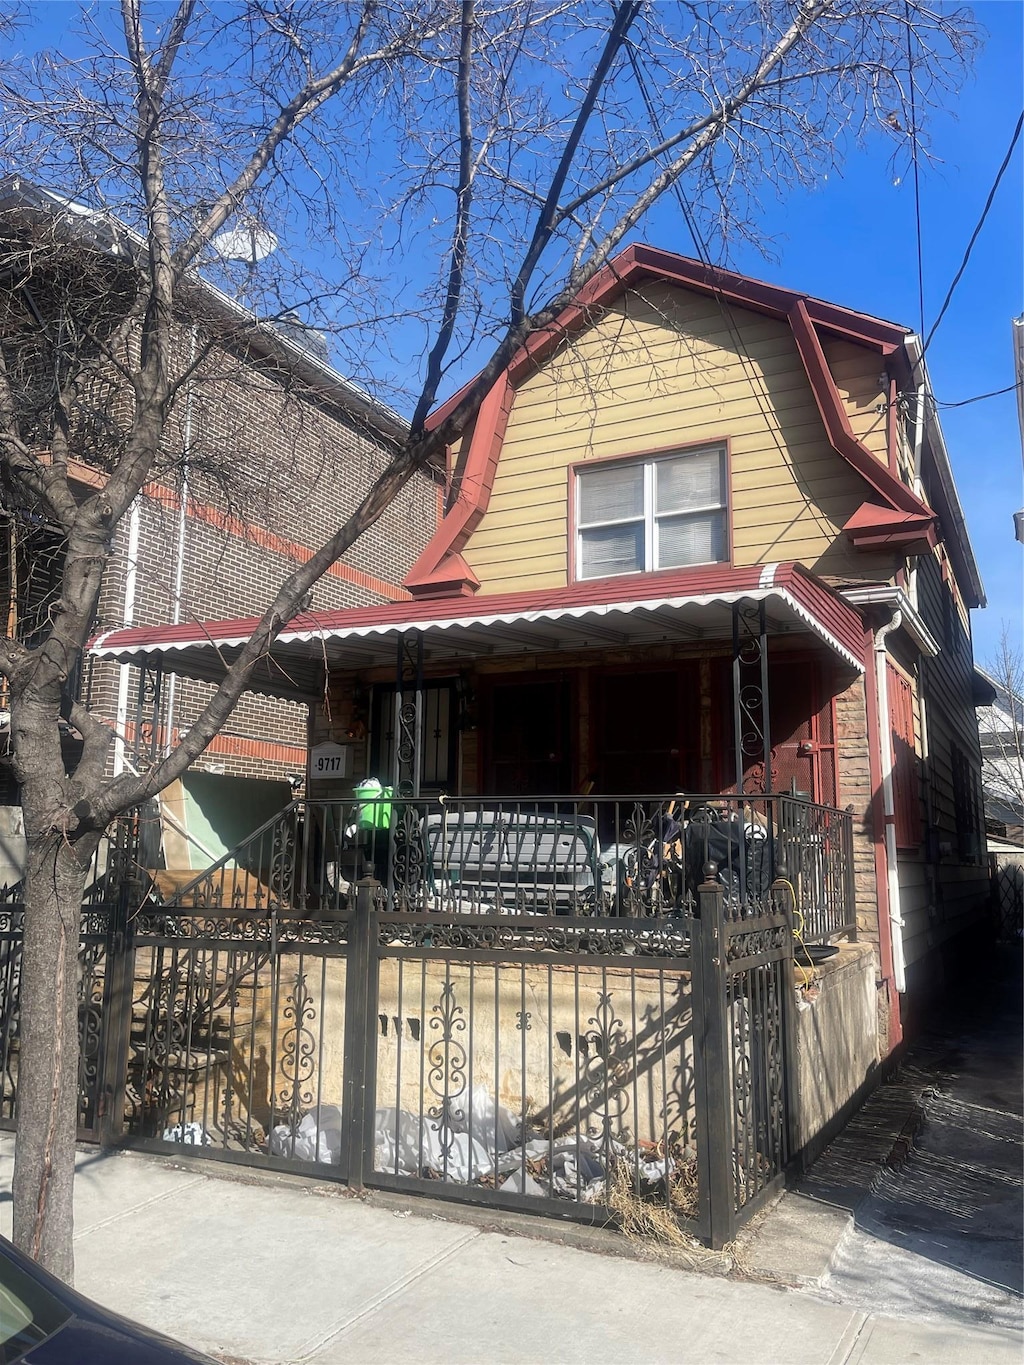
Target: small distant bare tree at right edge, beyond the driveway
1001 731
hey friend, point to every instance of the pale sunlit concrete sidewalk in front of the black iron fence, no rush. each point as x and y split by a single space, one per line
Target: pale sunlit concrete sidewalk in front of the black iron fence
281 1271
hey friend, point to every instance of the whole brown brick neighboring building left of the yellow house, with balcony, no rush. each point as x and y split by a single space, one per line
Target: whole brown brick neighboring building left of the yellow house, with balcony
268 450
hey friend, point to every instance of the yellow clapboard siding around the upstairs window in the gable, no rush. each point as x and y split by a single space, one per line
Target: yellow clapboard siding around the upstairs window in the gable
668 368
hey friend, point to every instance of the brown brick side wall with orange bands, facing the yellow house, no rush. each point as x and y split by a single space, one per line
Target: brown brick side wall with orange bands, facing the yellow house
271 474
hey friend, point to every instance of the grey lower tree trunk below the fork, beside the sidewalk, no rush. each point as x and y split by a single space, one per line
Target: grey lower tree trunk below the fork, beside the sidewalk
47 1110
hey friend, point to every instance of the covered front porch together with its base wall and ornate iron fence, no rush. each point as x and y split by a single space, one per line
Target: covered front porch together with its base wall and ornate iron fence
550 960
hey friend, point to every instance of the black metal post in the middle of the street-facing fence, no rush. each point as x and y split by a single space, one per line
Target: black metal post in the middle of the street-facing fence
361 1044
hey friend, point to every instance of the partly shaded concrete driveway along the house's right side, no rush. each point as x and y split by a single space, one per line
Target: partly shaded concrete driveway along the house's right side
918 1209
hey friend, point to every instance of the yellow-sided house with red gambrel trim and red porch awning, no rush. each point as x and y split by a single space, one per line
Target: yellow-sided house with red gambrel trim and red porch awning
701 559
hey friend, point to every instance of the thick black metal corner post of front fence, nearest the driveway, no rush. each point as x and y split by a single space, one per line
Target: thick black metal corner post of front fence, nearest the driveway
713 1069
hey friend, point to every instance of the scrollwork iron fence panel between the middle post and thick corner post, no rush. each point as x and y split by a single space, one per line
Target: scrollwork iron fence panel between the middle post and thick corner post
533 1061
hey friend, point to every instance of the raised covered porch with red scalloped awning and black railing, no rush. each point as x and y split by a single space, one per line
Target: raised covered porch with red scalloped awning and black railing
511 743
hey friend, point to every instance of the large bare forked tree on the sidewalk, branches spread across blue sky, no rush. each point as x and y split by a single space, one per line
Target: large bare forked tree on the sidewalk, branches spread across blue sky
515 144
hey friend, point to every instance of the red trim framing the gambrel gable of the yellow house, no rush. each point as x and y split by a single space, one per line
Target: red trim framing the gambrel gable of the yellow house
442 567
